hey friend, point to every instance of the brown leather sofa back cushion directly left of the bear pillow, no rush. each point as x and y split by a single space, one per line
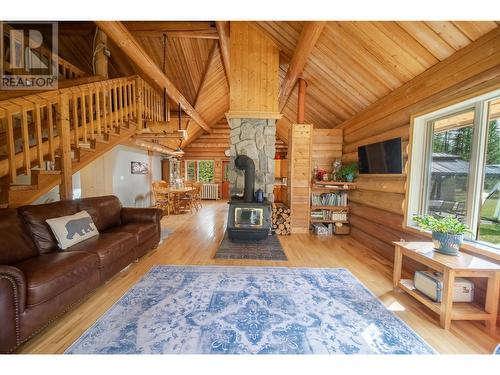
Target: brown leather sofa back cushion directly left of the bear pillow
34 217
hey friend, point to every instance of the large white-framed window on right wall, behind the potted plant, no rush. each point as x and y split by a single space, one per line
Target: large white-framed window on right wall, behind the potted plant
455 166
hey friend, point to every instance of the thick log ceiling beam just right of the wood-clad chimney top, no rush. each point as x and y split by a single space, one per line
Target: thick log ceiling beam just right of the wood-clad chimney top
307 40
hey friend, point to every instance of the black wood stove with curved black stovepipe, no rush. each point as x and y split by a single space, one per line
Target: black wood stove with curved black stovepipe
248 220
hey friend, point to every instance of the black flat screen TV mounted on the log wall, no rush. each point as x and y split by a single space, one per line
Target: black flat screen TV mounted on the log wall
381 158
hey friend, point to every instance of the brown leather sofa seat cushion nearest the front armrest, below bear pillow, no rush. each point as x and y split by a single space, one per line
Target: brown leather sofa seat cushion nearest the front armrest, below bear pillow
48 275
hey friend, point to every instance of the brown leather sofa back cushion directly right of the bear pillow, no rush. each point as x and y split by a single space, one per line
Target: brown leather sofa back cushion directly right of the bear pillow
105 211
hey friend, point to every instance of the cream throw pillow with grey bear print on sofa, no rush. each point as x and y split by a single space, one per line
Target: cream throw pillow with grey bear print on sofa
72 229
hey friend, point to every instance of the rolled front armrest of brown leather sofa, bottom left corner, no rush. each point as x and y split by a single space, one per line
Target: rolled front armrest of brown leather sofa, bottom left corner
12 304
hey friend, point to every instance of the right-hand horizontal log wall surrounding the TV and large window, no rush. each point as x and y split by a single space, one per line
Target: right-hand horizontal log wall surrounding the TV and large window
377 205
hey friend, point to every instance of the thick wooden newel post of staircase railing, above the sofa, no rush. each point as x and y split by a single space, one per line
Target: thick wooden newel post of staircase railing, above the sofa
63 130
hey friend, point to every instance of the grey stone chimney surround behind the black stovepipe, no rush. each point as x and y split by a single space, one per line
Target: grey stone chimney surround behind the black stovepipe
256 139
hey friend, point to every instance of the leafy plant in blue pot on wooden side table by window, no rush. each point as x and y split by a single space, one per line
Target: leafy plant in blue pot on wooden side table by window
447 232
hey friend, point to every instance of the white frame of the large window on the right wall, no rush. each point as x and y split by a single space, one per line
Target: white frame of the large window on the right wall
420 158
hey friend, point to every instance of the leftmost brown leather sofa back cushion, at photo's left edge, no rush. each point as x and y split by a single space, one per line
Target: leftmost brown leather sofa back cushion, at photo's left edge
16 245
